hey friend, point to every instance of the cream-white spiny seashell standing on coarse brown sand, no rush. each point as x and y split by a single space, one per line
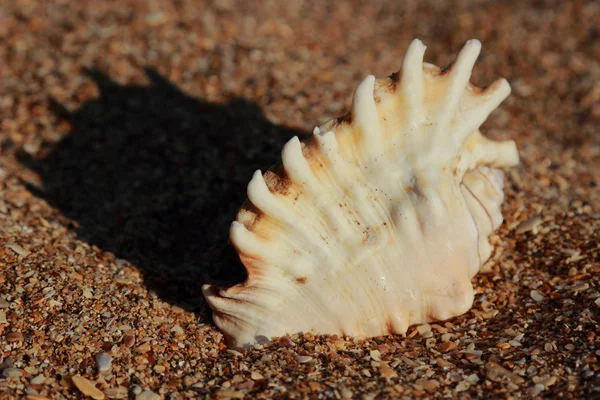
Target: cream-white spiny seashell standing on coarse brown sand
380 219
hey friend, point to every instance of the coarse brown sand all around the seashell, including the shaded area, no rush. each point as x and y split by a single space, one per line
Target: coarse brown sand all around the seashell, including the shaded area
128 132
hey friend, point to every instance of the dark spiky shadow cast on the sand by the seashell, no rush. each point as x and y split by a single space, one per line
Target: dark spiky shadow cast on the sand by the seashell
155 176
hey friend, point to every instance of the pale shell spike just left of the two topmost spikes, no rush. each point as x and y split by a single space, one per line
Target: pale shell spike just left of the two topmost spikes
366 116
